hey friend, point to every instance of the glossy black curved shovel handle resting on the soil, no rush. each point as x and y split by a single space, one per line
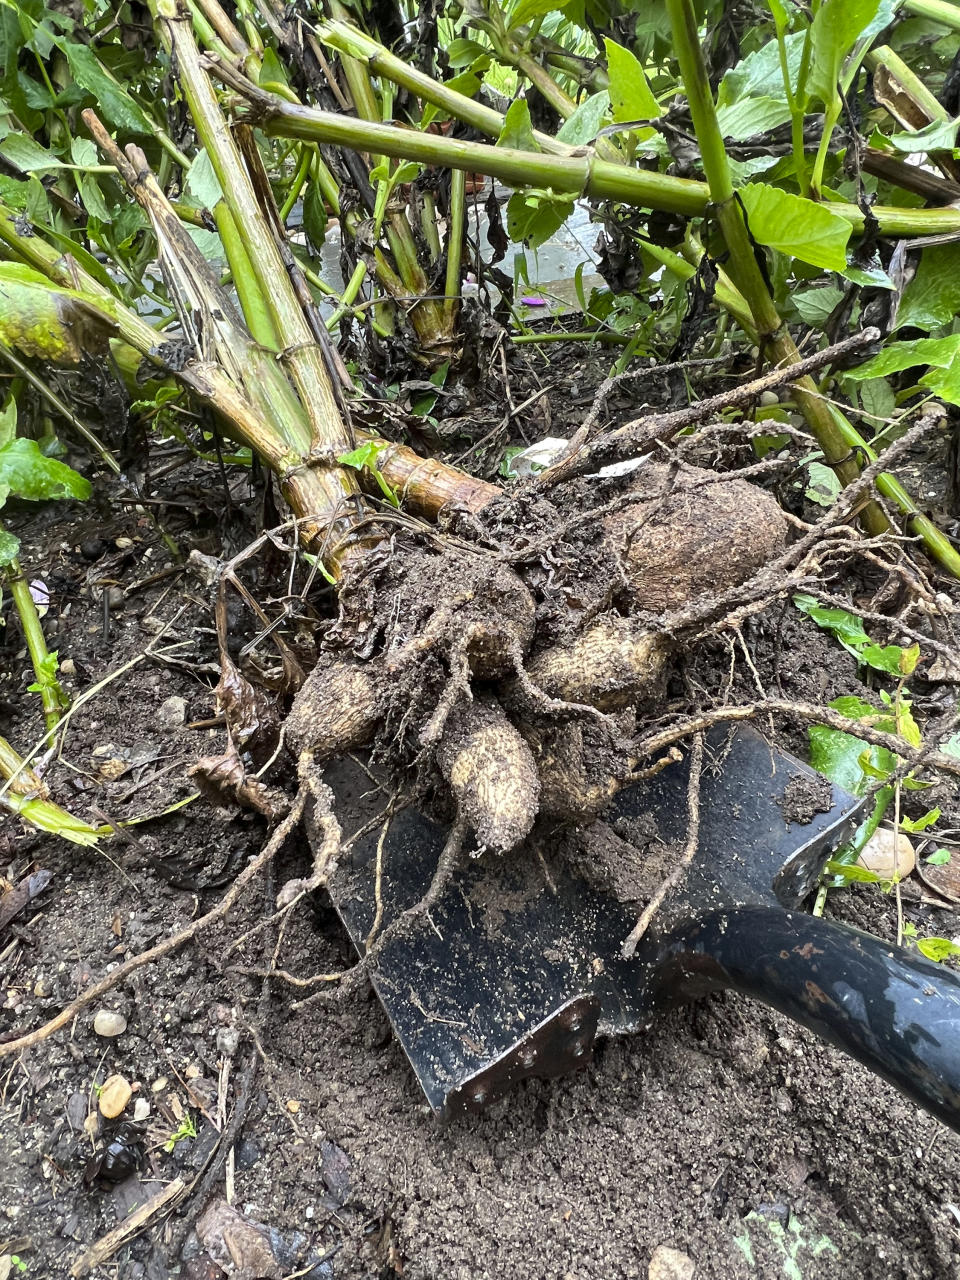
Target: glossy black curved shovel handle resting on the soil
892 1009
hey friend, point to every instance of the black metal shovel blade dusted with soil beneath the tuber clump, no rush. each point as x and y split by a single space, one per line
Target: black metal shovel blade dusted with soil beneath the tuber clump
519 966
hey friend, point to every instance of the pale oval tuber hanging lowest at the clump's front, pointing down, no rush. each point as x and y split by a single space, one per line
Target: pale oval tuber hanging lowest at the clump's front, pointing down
491 772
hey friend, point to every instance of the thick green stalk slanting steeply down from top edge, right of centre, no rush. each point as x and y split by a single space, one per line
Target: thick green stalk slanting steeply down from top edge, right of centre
744 271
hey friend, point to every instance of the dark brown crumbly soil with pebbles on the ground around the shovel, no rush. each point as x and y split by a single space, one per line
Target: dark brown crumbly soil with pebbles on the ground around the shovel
725 1131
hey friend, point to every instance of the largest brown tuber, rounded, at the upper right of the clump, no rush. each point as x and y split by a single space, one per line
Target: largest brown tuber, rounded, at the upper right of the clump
702 538
